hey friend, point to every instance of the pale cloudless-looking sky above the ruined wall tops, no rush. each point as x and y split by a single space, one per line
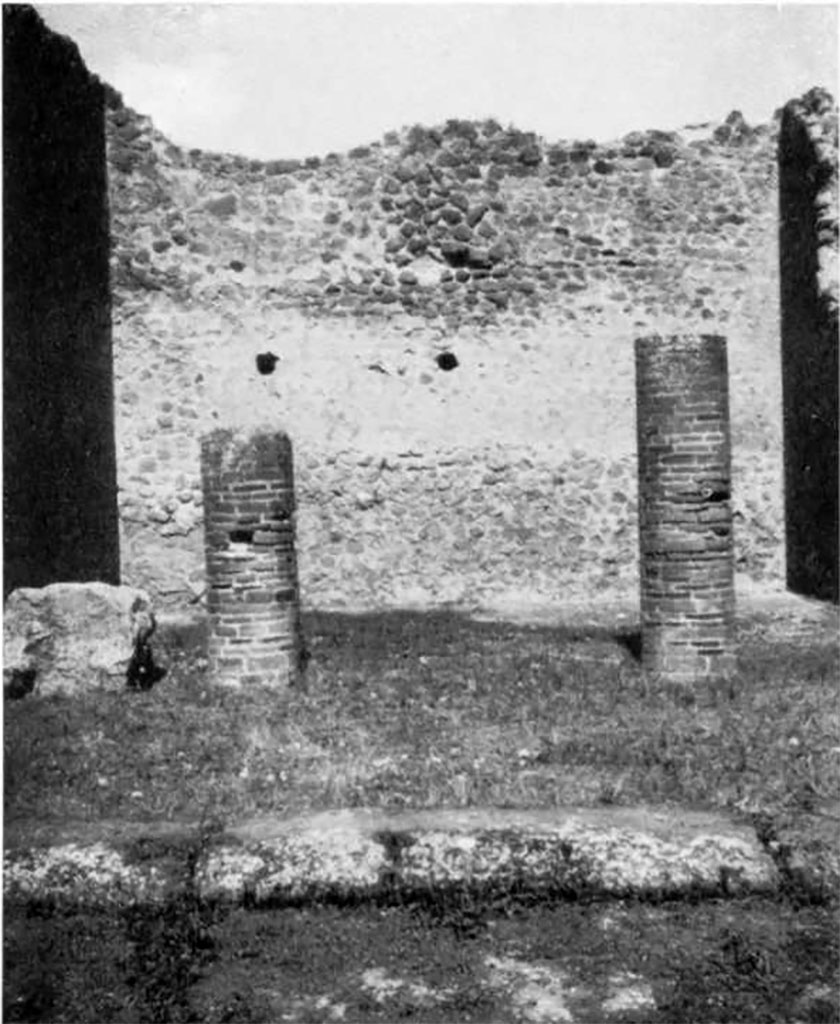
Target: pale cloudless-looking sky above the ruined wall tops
292 80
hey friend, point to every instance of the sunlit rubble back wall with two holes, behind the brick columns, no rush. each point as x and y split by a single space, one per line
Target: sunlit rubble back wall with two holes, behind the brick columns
534 265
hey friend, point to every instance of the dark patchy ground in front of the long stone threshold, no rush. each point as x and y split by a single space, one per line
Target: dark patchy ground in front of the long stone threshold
744 961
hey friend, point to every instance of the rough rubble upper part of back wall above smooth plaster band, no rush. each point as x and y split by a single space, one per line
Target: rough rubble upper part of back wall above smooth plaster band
467 224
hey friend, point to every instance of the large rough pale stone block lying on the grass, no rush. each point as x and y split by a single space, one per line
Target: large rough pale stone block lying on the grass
72 637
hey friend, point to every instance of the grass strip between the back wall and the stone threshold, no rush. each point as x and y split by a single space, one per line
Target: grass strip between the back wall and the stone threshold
434 711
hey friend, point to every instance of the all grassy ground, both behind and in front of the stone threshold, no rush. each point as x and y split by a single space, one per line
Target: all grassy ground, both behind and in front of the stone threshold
437 710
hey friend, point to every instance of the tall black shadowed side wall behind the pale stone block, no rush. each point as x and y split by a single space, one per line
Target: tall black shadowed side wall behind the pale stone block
60 481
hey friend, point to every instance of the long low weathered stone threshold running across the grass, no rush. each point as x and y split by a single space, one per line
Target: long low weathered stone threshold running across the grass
360 855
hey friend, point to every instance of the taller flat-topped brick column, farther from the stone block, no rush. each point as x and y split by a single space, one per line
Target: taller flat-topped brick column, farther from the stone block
686 520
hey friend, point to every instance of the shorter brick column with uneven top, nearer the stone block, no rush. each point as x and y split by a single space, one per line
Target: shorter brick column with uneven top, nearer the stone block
254 602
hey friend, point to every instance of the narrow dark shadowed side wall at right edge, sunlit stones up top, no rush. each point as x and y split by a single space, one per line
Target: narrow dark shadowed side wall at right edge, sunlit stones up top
808 176
